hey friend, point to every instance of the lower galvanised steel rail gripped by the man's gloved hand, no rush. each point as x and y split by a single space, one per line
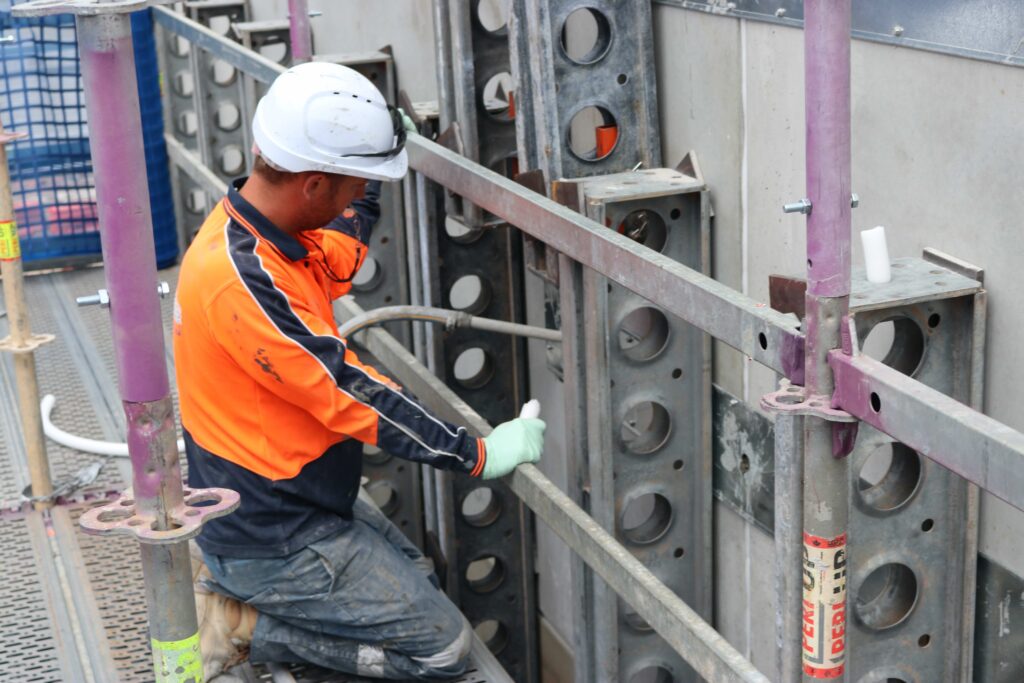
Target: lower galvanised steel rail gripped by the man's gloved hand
696 641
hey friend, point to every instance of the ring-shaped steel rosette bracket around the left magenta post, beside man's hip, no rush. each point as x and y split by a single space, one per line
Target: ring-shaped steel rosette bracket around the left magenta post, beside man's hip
122 518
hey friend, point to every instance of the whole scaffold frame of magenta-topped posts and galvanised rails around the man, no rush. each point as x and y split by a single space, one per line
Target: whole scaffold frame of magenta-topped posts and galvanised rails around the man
836 387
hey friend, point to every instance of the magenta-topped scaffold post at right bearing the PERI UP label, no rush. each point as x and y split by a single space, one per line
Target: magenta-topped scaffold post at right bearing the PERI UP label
827 485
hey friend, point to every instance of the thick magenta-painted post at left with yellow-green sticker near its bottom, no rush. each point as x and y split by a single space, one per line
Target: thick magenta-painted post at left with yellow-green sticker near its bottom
130 260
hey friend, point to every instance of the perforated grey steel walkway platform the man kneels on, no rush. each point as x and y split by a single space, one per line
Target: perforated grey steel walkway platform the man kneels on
72 607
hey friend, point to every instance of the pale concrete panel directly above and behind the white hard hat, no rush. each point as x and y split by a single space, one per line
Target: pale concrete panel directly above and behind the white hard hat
355 26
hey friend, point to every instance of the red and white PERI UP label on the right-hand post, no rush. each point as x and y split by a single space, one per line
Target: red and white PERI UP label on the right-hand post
825 607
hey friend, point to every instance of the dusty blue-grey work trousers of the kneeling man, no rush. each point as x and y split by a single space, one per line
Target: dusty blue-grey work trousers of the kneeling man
362 602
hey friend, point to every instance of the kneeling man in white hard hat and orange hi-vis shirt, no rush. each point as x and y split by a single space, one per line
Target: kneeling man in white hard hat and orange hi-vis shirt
278 408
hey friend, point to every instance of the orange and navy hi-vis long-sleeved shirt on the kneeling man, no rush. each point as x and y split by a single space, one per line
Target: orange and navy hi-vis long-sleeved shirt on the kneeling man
274 404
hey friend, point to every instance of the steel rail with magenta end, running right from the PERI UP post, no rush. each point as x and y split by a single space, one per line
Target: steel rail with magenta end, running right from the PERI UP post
974 446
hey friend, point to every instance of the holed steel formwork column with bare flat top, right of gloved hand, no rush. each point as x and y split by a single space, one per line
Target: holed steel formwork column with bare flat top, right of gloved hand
649 379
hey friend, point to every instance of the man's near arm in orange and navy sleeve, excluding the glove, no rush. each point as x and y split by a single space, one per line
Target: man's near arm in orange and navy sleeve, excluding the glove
284 347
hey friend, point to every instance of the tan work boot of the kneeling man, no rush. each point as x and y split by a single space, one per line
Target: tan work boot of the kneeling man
226 626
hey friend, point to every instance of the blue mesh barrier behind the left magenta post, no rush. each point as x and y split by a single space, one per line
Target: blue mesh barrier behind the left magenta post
52 172
